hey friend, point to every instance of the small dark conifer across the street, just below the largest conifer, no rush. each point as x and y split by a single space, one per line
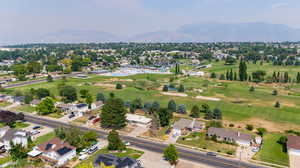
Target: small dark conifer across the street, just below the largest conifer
114 141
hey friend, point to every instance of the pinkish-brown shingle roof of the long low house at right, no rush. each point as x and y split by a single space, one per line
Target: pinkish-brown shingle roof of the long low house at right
227 133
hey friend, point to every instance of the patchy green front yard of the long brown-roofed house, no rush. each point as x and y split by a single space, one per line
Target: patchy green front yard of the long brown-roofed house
199 140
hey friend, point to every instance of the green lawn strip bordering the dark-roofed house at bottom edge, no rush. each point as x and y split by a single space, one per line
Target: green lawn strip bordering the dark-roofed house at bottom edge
129 153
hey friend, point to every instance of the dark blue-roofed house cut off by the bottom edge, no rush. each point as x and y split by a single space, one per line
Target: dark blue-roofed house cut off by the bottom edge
112 160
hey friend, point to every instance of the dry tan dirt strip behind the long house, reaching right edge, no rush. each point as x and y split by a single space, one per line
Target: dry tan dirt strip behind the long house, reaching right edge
269 125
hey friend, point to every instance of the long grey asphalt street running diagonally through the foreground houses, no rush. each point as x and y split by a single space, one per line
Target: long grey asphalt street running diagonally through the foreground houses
184 153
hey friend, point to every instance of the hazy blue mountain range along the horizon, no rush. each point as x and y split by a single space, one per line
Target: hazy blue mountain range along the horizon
198 32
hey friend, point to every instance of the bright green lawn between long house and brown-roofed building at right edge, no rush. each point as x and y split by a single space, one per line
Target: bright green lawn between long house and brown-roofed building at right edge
272 151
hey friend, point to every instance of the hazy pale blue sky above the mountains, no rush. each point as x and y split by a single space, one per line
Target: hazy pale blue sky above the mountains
25 18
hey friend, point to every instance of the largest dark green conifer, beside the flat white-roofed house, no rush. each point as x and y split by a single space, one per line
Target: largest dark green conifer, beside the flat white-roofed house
113 114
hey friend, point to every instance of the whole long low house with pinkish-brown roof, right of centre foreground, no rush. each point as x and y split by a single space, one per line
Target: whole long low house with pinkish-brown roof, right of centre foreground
232 136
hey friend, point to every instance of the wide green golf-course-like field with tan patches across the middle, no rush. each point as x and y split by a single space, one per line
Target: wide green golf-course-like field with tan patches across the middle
236 102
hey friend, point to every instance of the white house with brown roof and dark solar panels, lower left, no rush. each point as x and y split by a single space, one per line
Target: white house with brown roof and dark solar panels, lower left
55 151
